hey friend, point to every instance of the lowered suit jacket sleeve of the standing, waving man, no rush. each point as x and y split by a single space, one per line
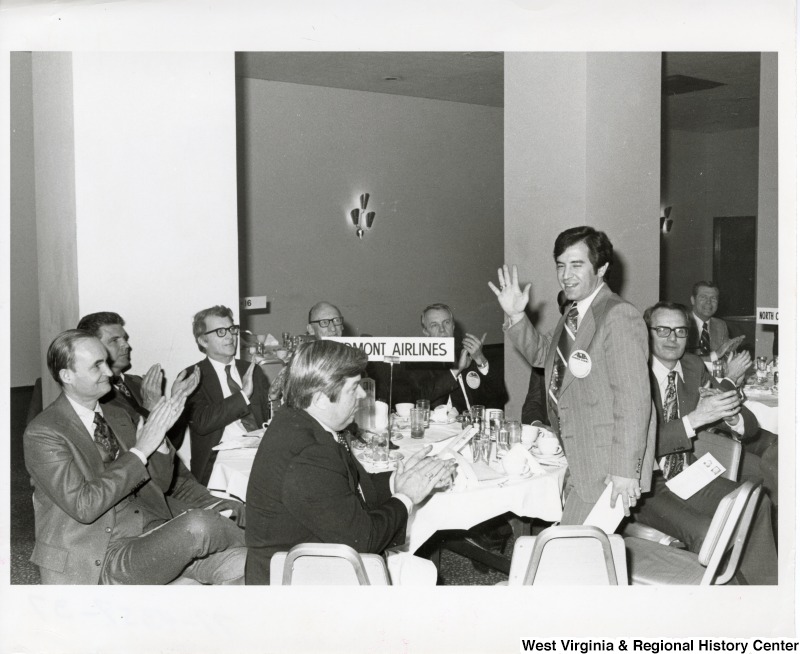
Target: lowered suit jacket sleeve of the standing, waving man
626 354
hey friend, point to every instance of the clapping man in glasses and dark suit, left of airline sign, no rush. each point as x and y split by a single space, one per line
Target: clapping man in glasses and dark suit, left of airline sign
233 396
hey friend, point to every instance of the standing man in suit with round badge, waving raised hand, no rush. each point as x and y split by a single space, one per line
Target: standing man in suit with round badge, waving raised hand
595 373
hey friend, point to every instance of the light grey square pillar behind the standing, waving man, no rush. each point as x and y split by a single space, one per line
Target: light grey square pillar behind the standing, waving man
582 146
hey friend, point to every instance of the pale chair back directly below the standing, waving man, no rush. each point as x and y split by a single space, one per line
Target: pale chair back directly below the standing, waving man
568 555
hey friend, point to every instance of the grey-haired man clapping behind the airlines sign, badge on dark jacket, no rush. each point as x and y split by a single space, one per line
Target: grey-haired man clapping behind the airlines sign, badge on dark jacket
468 381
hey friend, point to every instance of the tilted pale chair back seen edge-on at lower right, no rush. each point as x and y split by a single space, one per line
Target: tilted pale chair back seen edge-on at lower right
728 530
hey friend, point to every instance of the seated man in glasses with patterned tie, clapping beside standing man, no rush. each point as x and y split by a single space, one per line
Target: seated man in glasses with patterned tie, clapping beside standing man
688 399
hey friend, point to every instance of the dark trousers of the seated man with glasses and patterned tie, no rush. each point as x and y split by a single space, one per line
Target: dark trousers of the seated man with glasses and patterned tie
689 520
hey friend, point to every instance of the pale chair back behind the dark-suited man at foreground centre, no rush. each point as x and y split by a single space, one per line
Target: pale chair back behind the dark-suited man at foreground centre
327 564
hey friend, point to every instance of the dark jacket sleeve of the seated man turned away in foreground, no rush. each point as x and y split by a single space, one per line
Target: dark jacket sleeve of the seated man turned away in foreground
319 496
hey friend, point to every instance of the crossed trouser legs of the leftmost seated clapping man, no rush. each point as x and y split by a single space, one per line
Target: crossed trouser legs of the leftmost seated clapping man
199 545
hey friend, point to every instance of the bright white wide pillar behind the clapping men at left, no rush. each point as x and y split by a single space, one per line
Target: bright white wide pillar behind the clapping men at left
140 197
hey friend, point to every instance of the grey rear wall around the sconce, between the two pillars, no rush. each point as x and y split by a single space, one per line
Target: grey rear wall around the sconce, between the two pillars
434 170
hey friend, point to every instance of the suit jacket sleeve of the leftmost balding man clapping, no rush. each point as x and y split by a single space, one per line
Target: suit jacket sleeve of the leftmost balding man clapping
50 459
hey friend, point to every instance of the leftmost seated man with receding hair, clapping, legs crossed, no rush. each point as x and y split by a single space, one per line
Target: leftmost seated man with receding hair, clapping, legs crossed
107 504
